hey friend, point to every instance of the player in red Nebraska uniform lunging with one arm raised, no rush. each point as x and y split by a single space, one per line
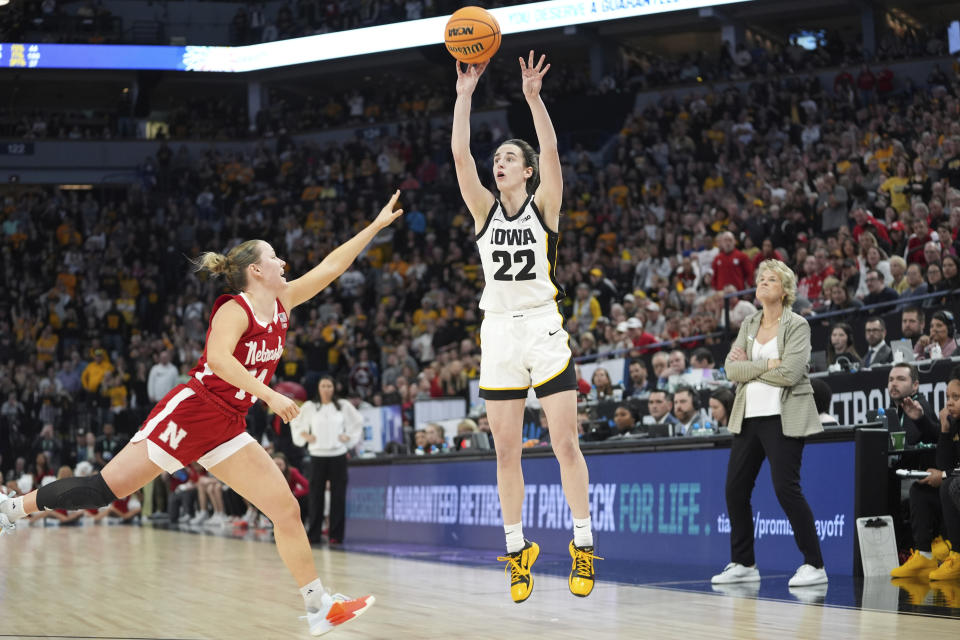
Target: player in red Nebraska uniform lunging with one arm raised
204 420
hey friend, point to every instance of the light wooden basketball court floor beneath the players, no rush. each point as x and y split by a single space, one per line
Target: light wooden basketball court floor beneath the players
133 582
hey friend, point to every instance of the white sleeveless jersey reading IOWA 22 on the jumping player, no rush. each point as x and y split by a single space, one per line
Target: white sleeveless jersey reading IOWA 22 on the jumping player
519 257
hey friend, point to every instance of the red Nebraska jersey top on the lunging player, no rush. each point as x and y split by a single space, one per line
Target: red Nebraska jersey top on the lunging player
259 350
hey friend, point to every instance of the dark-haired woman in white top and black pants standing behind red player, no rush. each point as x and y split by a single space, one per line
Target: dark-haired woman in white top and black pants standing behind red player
329 427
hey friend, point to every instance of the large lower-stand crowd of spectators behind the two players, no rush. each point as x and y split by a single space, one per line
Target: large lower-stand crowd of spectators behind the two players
857 190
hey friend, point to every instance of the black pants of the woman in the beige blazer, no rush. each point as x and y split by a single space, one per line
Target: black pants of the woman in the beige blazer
761 438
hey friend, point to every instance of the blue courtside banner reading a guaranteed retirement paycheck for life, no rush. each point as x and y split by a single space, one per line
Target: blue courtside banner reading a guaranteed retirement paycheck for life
662 507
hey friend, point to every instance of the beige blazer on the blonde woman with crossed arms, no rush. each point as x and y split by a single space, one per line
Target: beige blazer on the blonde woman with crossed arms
798 411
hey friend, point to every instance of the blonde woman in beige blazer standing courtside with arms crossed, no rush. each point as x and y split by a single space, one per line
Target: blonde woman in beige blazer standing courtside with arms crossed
772 414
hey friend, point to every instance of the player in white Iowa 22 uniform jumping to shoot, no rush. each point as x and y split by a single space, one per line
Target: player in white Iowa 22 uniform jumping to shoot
522 339
